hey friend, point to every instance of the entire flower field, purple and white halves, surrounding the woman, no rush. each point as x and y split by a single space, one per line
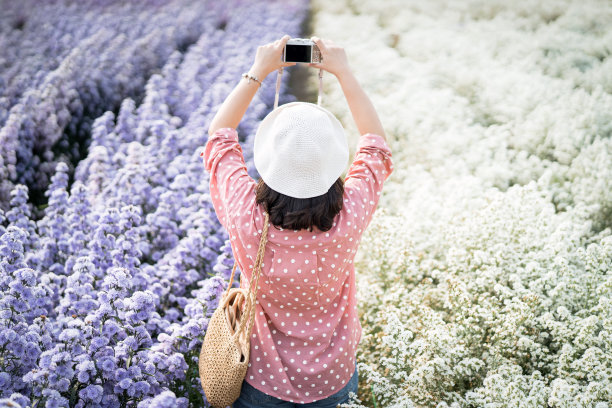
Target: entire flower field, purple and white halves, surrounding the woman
484 278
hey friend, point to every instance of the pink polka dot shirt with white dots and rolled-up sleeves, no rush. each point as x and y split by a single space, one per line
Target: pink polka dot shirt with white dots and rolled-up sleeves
306 329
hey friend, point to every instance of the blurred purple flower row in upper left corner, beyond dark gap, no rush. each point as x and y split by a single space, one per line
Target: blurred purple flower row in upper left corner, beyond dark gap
66 62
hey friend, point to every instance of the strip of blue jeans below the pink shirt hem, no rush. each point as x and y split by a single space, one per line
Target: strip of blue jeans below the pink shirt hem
251 397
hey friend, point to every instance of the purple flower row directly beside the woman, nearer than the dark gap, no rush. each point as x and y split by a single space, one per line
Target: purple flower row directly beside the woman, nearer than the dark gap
106 299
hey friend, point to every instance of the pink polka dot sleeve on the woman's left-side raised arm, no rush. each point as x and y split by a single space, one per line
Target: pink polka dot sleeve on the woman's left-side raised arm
232 190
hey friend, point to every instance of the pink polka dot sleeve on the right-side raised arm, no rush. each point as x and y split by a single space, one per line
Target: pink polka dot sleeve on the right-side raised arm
364 180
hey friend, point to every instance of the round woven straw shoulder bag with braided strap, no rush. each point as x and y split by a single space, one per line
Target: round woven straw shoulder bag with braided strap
225 352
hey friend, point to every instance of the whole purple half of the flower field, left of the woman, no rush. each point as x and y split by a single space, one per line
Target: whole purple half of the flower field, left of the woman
106 296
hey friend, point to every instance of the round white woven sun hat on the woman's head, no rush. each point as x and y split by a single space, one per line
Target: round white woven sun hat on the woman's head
300 150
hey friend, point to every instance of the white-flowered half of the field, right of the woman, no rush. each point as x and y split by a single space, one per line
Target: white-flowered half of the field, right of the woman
485 277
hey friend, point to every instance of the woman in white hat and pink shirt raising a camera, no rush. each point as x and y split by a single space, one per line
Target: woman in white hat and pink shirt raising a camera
306 328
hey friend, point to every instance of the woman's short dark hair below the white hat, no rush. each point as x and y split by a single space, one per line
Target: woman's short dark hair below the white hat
301 213
